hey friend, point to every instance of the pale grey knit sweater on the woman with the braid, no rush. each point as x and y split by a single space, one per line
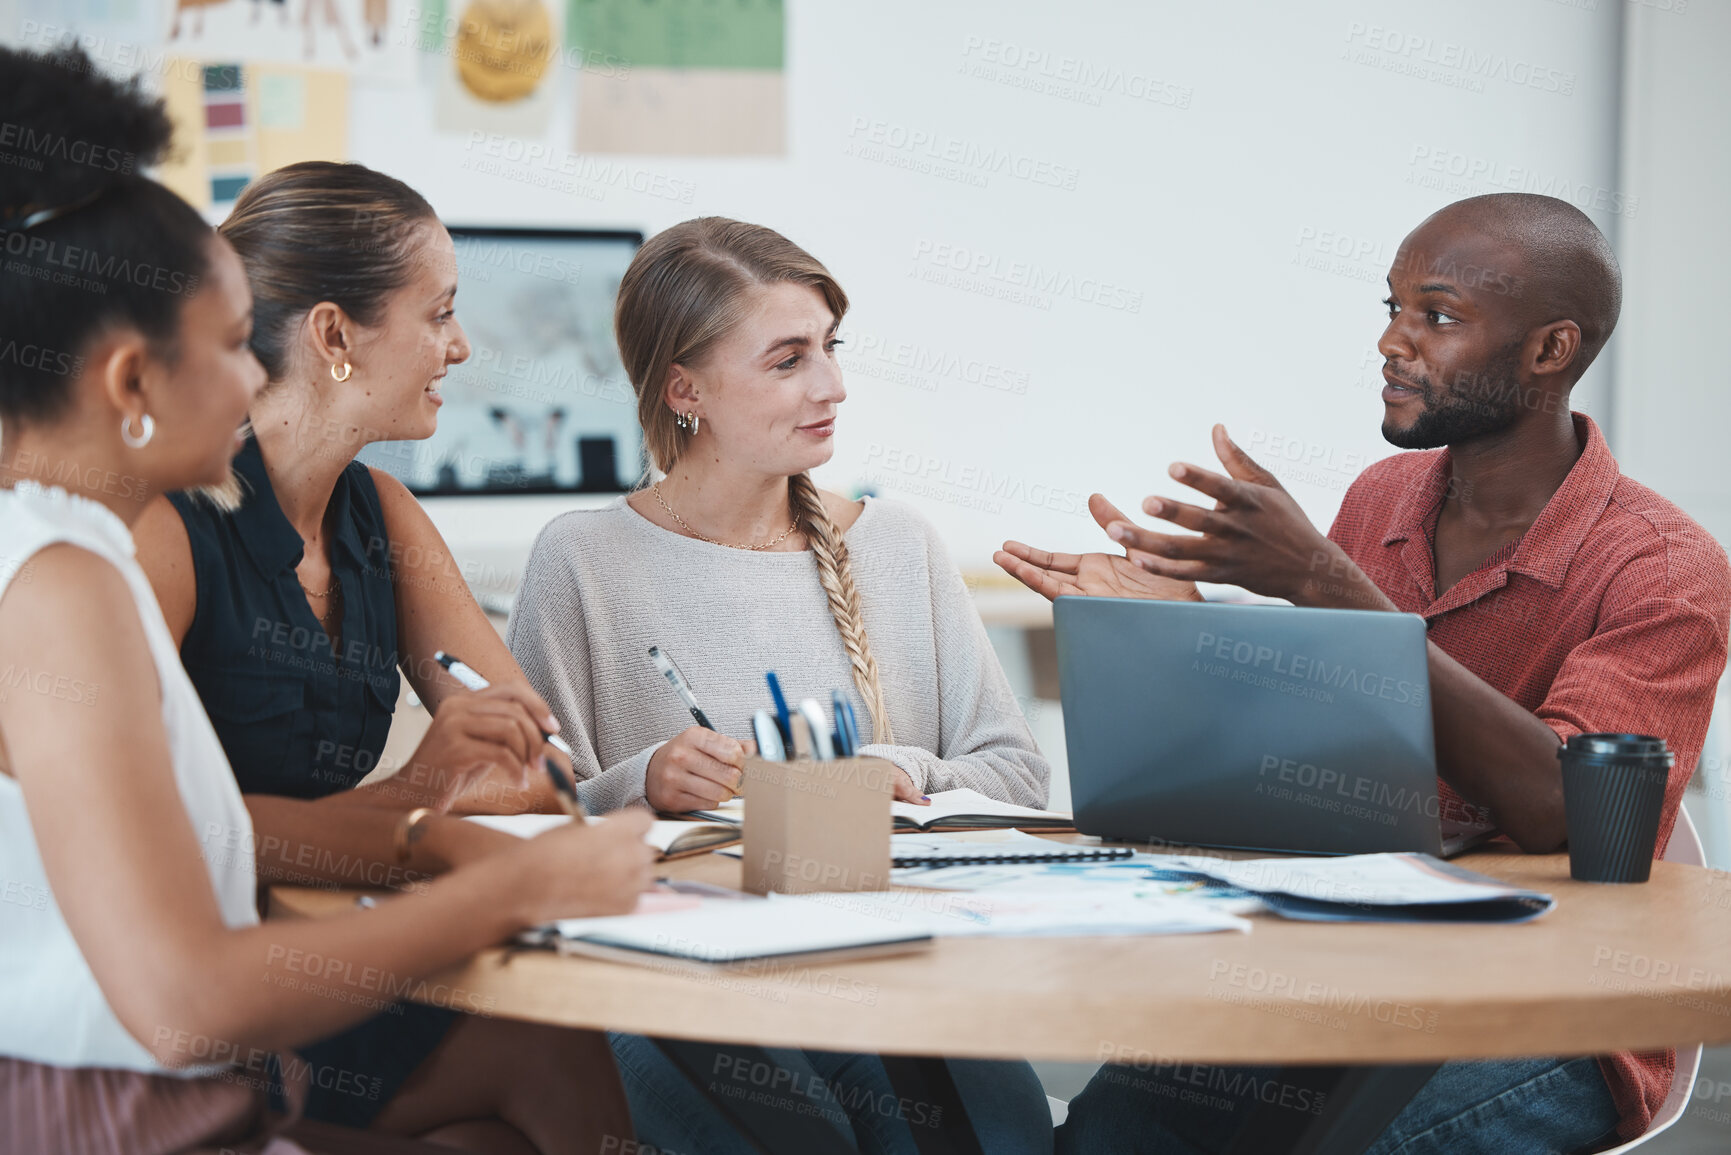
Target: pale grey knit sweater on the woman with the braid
607 584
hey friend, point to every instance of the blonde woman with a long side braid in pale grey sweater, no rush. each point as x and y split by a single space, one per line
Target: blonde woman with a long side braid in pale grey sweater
737 564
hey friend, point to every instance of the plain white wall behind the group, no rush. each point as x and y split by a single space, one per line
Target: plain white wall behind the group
1213 155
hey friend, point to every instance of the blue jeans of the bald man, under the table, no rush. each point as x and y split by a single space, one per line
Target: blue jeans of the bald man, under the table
1510 1107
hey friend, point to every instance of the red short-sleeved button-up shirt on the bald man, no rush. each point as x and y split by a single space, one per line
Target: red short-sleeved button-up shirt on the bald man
1611 614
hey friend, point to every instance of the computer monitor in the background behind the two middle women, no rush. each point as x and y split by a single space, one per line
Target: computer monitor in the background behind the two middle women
543 396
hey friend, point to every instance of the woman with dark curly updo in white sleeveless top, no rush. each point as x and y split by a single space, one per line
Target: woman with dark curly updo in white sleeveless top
143 1003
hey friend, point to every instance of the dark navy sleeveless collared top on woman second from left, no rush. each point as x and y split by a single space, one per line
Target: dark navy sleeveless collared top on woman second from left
295 716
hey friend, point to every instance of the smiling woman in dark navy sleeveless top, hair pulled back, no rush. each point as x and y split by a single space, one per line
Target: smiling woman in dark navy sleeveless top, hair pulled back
299 593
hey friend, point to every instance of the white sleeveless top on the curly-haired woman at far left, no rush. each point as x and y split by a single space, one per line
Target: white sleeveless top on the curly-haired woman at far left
51 1007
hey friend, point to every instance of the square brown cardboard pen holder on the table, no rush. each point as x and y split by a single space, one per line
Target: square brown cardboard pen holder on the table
818 825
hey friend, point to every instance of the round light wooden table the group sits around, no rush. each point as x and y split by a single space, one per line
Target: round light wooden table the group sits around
968 1000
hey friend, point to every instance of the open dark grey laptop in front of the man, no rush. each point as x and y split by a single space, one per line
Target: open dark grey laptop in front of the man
1256 728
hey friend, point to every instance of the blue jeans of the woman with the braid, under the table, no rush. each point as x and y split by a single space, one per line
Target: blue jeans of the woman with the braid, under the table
847 1095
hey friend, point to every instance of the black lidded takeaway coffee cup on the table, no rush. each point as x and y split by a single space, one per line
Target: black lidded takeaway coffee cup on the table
1614 792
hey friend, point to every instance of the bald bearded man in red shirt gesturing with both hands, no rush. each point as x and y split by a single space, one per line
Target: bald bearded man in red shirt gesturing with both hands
1560 598
